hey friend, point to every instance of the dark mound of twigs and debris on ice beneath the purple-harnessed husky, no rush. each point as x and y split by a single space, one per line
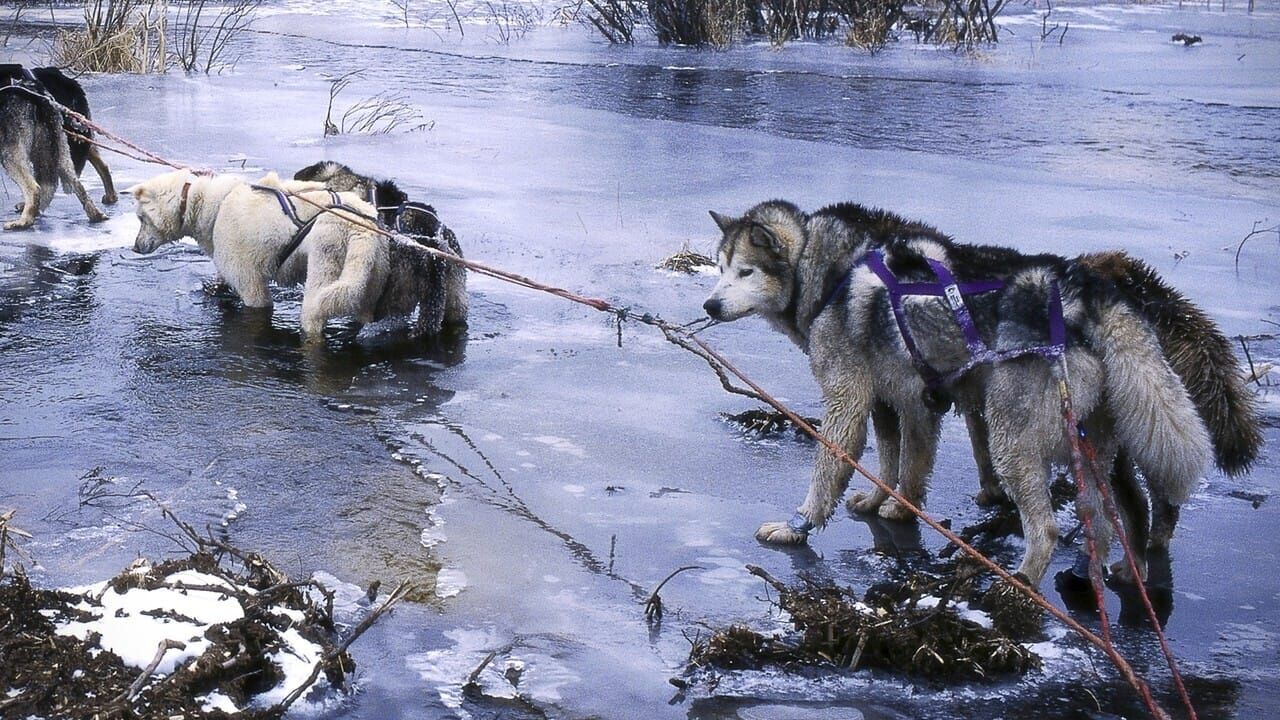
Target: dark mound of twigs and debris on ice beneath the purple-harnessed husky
925 627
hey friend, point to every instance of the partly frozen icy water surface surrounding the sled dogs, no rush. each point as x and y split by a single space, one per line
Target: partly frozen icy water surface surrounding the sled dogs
537 479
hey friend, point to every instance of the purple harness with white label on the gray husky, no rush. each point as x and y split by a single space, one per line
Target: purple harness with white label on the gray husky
953 293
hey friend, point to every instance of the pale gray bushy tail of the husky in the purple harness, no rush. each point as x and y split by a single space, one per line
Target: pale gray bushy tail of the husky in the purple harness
1156 422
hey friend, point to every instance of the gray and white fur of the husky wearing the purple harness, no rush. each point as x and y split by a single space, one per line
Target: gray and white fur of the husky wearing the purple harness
1122 388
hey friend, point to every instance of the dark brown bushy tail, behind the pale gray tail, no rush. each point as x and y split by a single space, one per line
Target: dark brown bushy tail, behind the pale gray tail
1199 352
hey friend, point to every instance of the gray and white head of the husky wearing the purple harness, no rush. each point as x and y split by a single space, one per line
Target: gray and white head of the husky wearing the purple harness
756 262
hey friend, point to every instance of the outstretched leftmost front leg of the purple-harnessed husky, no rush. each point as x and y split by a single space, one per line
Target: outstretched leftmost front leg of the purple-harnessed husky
845 425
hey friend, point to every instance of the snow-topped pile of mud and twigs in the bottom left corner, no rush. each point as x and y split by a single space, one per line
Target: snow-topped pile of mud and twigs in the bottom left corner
188 639
